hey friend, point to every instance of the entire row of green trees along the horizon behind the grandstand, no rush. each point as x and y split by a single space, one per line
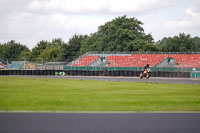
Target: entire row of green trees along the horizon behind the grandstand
120 34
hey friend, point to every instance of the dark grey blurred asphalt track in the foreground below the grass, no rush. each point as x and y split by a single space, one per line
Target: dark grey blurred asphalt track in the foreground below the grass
99 122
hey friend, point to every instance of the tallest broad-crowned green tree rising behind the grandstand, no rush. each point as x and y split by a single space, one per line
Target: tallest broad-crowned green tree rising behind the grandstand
121 34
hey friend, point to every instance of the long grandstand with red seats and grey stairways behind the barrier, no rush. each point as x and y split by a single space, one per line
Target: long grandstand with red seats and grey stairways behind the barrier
139 59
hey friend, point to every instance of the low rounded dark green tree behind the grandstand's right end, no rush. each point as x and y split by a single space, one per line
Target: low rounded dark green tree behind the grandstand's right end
181 43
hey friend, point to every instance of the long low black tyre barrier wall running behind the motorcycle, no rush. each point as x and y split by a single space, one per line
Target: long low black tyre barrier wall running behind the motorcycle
94 73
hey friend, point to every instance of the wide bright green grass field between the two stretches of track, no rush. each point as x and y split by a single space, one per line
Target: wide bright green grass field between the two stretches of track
40 94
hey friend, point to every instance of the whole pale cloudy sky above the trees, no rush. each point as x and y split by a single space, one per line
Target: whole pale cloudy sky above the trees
30 21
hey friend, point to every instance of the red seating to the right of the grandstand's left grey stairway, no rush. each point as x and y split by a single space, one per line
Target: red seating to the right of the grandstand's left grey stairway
140 60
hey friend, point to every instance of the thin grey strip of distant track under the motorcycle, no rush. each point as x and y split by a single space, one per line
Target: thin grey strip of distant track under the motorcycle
127 79
